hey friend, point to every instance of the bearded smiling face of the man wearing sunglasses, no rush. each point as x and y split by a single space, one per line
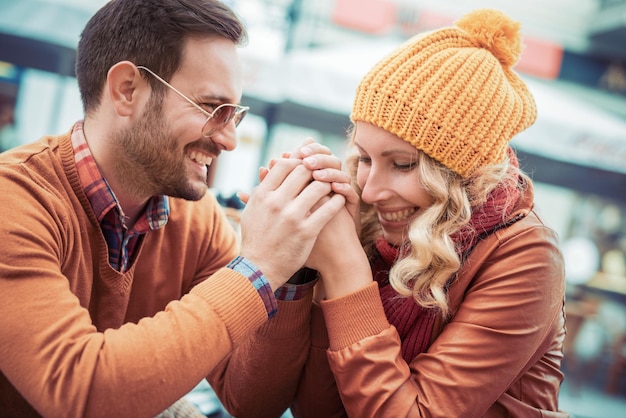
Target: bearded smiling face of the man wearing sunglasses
164 152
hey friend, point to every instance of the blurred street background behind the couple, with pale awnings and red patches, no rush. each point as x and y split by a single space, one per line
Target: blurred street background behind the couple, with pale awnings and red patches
301 68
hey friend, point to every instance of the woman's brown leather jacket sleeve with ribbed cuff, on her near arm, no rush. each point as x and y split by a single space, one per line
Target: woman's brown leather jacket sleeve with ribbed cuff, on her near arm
515 302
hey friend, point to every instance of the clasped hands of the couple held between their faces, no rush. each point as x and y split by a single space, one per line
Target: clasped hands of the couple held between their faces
303 213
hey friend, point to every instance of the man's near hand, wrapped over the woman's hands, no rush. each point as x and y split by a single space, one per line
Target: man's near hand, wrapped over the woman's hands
283 218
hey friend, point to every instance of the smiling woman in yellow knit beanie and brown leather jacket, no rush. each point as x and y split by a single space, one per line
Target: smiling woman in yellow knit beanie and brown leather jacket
455 306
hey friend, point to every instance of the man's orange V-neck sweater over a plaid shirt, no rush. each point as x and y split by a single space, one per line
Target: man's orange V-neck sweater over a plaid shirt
79 338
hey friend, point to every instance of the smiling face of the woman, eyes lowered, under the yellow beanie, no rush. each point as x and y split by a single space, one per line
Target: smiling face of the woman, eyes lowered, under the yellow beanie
388 175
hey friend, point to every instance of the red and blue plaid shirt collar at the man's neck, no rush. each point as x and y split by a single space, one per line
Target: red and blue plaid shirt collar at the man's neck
100 194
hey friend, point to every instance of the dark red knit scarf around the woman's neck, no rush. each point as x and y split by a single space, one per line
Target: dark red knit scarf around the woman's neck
414 323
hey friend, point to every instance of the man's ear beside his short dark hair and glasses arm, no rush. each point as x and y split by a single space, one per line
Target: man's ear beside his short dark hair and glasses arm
128 90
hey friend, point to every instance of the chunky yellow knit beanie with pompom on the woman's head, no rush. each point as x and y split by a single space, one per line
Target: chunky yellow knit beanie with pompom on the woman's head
452 92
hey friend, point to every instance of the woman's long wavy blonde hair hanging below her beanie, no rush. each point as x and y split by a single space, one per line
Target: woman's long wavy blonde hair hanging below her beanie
425 272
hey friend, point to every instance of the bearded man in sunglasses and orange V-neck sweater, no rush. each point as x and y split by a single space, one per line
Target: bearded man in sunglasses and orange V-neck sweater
122 284
